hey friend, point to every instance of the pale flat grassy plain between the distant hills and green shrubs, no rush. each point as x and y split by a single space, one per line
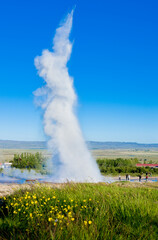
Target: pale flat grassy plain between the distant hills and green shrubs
7 154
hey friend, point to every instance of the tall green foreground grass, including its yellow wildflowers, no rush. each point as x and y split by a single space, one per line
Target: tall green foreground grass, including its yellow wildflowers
81 211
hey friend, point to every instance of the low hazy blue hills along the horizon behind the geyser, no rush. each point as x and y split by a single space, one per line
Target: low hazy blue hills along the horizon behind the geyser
8 144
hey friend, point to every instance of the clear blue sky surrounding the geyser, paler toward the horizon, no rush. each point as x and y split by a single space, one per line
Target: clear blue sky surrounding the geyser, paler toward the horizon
114 64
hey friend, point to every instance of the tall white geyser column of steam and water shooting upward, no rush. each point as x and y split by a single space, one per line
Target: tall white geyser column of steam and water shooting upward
70 156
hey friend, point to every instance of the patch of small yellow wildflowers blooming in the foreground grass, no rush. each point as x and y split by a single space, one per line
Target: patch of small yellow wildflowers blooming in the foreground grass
38 206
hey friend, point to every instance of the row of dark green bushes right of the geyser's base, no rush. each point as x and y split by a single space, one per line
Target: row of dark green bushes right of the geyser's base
123 166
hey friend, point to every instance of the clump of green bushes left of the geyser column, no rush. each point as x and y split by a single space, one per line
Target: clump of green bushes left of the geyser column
29 160
